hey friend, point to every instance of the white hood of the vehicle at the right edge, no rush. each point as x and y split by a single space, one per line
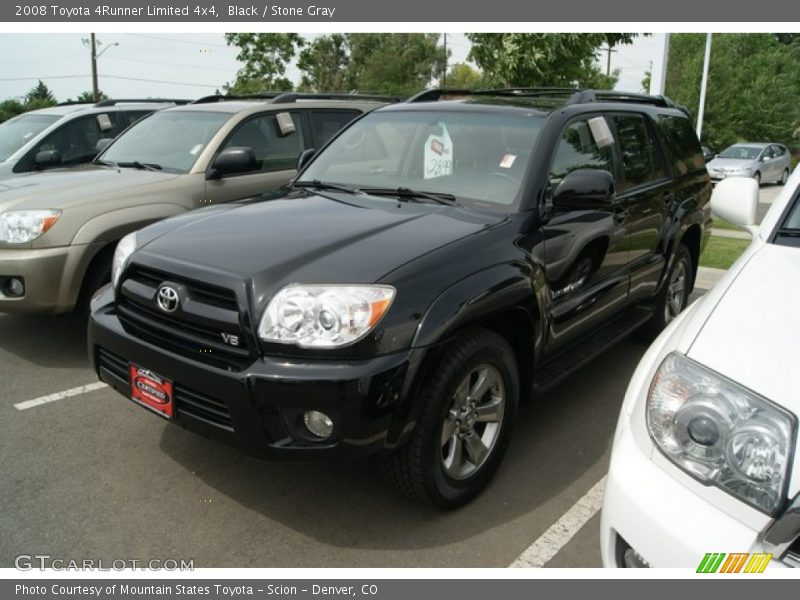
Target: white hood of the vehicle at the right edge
751 335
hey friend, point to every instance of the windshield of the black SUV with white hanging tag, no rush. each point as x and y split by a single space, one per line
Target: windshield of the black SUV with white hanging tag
476 157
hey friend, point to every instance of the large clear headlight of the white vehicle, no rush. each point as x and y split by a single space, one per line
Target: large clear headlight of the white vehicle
721 433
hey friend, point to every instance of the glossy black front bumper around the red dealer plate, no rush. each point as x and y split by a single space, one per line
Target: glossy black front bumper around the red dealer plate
260 408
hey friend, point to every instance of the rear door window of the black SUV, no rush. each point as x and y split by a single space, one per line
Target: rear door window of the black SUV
641 159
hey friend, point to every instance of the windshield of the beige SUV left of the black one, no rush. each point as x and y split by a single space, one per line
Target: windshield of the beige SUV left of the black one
169 140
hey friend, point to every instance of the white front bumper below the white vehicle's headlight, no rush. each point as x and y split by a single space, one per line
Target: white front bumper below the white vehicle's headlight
666 523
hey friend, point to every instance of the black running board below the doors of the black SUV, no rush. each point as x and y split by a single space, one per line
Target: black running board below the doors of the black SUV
567 362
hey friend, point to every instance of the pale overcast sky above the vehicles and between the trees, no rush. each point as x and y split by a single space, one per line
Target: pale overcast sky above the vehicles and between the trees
176 65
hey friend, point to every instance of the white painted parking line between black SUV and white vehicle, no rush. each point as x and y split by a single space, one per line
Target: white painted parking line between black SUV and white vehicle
563 530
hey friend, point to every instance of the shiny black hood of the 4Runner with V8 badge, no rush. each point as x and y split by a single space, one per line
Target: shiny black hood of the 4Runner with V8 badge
307 238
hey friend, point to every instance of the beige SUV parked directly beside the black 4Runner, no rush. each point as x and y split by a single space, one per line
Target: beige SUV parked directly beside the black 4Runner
59 228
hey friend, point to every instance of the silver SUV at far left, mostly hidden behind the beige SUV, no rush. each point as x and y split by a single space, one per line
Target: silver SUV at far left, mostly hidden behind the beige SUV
67 134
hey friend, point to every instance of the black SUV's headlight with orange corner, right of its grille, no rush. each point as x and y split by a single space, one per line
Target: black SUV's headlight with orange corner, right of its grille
324 316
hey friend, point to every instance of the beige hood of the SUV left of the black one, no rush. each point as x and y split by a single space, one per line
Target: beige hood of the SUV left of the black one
65 188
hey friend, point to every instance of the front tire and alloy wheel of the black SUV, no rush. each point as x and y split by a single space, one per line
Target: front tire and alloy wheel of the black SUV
448 474
